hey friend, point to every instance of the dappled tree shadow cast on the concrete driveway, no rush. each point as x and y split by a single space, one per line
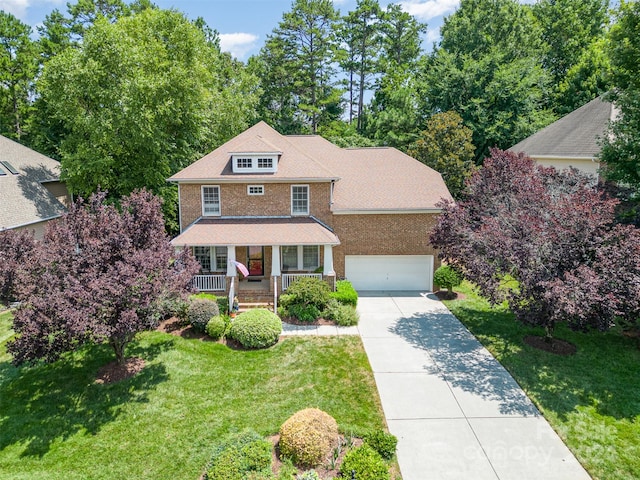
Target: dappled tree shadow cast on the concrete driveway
462 361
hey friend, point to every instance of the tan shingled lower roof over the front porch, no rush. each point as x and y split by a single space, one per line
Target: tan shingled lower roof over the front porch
256 231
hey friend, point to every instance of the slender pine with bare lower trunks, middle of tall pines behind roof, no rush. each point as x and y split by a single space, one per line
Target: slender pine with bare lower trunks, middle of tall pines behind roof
360 36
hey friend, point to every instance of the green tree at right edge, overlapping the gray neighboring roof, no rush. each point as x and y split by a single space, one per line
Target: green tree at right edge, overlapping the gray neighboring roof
621 148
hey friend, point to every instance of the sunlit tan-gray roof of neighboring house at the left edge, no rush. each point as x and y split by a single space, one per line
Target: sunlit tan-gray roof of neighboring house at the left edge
23 198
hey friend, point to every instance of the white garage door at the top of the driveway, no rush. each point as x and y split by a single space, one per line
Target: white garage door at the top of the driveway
390 272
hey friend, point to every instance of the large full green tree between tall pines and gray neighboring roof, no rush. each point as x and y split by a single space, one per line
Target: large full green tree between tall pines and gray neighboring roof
491 75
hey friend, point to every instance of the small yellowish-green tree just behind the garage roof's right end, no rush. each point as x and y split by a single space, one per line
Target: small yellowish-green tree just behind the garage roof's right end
445 145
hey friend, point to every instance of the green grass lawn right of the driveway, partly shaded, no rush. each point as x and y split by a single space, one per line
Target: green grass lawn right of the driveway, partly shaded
592 398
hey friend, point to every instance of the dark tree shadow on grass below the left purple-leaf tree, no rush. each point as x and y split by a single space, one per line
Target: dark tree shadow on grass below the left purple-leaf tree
45 403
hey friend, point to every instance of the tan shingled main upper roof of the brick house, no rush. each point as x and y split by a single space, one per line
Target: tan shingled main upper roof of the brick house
367 179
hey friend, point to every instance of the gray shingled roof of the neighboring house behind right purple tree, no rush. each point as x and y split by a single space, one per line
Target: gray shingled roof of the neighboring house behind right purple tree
575 135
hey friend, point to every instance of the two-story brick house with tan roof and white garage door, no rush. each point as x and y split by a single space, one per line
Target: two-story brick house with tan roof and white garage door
286 206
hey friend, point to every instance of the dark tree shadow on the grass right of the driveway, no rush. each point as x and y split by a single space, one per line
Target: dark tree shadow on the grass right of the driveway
602 373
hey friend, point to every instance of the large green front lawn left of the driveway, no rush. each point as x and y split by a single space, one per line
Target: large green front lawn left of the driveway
57 423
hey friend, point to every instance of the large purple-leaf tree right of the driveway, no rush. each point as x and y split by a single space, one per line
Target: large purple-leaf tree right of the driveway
542 240
